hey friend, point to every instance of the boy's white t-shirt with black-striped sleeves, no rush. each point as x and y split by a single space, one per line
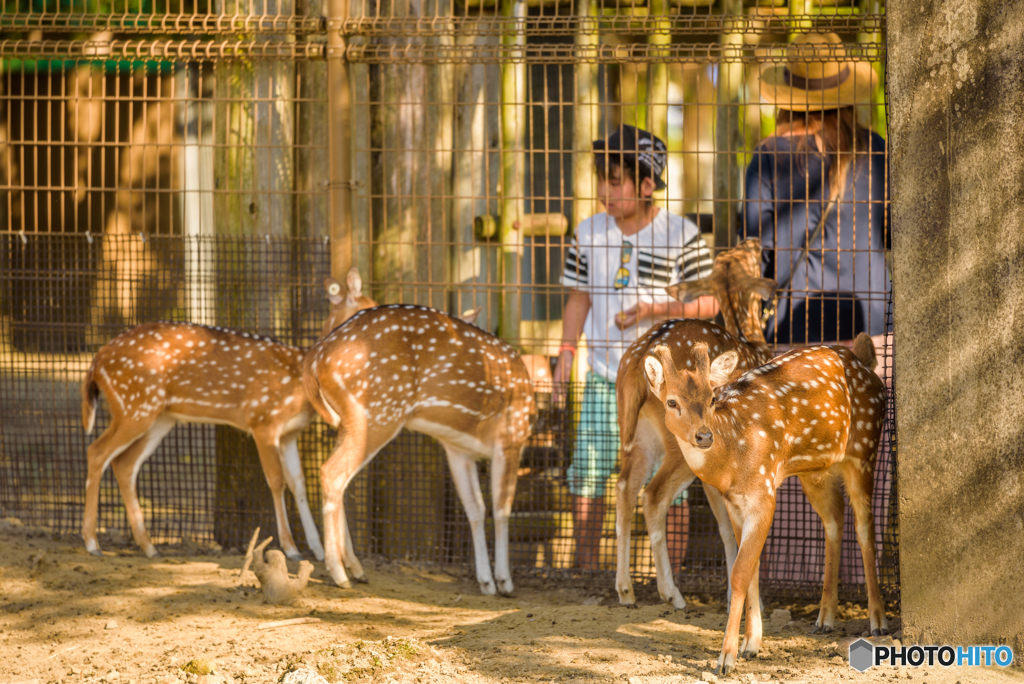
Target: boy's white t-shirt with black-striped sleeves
667 251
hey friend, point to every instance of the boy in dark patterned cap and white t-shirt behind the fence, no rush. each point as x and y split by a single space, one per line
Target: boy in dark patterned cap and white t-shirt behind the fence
618 268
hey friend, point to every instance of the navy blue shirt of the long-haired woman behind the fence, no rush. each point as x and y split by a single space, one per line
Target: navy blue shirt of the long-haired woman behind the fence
785 203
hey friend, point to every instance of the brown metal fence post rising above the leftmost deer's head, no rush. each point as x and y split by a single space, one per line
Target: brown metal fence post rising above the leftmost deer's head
339 140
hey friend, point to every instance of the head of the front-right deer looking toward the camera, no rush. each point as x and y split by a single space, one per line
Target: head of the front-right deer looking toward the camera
689 395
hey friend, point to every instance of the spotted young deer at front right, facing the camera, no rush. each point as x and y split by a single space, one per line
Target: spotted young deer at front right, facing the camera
814 413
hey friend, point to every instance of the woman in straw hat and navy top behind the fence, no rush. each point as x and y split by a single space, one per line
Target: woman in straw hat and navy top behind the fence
817 197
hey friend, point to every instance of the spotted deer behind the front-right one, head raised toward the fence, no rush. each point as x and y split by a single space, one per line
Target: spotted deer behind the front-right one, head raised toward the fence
646 442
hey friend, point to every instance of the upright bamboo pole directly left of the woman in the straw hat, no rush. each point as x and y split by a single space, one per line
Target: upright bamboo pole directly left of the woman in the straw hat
729 141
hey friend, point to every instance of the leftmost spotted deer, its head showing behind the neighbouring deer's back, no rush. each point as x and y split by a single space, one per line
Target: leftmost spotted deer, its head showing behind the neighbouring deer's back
160 374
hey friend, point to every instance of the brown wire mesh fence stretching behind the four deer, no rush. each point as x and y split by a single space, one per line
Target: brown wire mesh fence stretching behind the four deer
180 161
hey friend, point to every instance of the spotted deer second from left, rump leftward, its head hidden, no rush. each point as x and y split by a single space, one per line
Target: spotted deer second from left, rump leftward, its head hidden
396 367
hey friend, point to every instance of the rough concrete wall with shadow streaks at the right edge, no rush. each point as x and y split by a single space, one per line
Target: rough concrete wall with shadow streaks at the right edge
957 143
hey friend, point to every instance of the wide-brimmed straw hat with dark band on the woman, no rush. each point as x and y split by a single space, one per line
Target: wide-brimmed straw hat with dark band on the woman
819 76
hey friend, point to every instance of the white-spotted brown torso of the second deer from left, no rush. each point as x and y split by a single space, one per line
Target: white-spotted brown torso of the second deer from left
403 363
